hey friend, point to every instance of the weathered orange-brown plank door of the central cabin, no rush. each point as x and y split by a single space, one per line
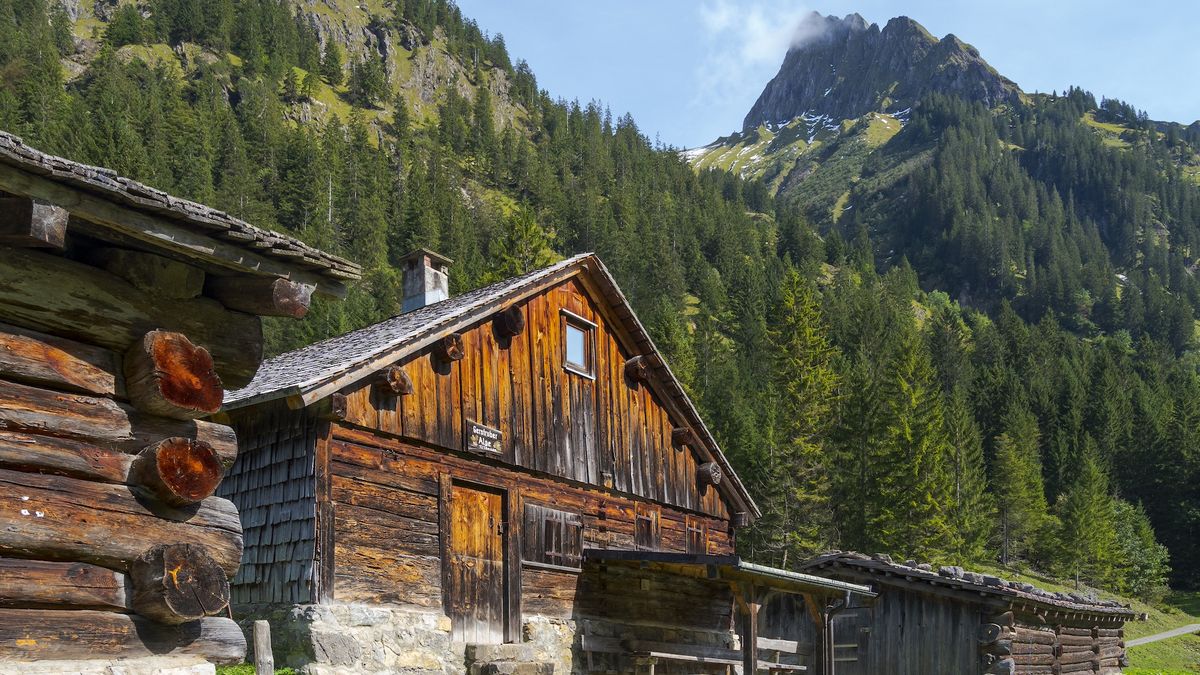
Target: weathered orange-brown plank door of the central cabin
476 566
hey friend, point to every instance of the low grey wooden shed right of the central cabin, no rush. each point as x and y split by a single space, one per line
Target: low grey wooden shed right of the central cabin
956 622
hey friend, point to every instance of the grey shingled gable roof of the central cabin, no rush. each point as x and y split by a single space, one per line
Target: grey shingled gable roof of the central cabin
319 371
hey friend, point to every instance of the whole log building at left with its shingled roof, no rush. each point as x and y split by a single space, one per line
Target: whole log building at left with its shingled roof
124 314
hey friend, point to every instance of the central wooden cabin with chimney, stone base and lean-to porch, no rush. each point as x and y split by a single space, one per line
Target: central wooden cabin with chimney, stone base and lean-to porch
511 480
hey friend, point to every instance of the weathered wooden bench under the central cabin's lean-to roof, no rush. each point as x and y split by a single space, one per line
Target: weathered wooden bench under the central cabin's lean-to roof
649 654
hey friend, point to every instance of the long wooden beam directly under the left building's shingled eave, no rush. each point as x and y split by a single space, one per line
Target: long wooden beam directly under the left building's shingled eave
125 226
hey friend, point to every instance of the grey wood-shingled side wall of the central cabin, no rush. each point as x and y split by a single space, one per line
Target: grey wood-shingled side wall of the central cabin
273 485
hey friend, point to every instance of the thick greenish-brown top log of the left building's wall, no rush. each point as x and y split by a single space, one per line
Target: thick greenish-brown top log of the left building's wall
73 300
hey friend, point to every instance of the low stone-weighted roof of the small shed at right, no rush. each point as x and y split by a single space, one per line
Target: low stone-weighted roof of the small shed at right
970 584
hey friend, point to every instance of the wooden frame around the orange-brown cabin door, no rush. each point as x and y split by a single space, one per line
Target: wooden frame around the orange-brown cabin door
511 510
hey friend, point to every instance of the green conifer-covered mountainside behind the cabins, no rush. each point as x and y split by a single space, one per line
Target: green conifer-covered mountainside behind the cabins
955 373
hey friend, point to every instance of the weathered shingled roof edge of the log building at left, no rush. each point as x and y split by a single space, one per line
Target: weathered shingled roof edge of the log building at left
175 223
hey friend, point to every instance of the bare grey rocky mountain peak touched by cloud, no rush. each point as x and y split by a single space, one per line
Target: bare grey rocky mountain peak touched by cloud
845 68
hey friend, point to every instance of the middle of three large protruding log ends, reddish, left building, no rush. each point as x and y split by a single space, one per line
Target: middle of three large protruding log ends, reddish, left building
178 471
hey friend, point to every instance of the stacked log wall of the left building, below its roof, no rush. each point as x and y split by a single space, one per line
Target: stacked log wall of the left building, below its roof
112 542
